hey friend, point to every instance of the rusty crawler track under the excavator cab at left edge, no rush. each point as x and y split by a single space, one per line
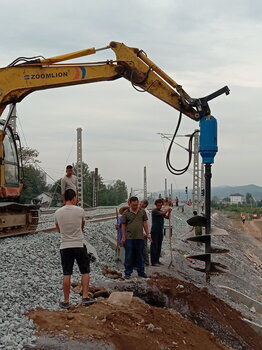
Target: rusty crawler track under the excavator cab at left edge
17 219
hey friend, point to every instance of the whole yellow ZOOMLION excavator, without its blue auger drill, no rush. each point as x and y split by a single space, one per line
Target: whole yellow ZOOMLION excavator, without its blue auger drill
28 74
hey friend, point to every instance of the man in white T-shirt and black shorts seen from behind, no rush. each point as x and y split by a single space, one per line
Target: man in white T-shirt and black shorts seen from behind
70 223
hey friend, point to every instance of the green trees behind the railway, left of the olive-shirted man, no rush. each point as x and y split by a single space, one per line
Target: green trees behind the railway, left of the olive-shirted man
34 184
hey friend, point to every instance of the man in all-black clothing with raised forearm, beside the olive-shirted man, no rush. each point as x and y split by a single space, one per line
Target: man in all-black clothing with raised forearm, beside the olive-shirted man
158 216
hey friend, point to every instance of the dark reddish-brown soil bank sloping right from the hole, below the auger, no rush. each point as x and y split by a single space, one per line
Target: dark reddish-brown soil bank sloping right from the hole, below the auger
207 311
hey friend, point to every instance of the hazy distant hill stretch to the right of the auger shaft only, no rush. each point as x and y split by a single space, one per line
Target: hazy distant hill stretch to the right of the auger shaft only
225 191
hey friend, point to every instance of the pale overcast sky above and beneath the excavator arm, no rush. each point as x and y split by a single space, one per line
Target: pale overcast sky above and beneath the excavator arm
203 45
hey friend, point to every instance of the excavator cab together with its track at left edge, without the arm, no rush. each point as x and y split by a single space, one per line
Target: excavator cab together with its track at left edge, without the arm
15 218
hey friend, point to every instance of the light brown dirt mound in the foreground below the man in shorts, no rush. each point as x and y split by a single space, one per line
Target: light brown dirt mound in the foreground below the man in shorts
138 326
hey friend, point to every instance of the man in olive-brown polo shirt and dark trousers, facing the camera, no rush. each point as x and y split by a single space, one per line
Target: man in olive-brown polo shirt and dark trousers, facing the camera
134 222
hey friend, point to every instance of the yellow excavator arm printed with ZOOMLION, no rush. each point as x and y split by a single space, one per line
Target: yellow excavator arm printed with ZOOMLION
20 79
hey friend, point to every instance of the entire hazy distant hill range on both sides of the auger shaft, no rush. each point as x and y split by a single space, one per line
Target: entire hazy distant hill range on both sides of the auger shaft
222 191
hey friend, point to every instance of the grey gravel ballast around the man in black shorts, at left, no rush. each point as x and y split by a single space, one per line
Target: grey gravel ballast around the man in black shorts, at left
31 276
